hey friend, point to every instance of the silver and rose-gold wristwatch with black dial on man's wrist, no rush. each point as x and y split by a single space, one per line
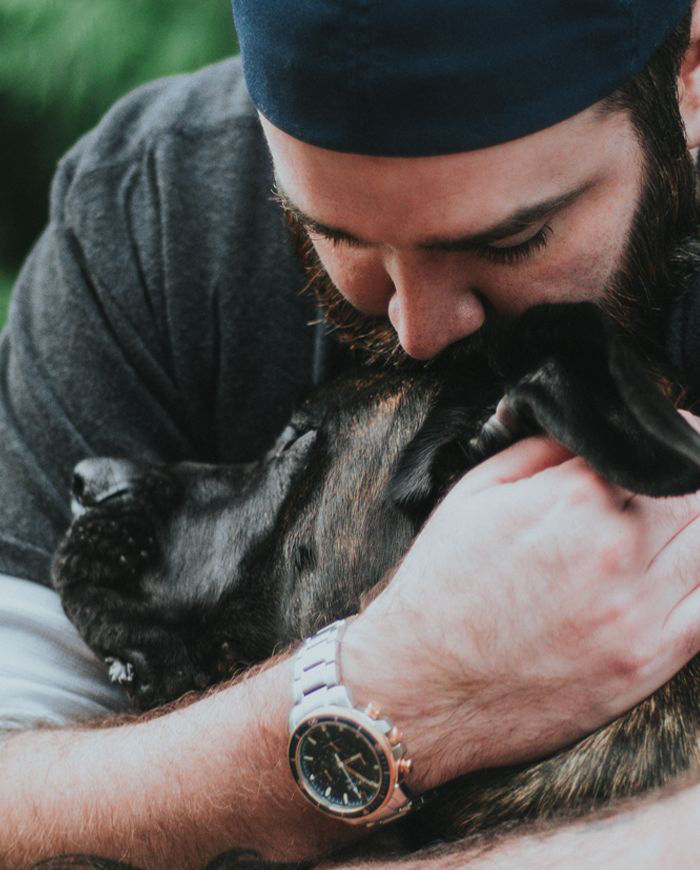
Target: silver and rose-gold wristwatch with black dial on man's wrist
349 763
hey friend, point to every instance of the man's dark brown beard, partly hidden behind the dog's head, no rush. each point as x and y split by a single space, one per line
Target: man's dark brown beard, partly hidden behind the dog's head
660 249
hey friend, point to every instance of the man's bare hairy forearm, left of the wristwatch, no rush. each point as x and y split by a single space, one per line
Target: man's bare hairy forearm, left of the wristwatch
172 791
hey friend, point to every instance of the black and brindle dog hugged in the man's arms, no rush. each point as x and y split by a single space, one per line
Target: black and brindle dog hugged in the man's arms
188 572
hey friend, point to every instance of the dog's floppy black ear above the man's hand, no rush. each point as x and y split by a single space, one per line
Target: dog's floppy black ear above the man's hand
568 375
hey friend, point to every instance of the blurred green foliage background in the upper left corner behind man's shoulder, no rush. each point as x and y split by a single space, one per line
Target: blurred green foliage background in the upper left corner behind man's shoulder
62 64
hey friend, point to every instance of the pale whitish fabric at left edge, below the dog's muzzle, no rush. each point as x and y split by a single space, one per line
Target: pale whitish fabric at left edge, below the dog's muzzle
47 673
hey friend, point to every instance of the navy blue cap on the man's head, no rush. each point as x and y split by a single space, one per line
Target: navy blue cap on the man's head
420 77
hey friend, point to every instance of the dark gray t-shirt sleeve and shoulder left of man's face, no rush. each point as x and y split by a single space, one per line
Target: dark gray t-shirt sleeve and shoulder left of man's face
159 315
